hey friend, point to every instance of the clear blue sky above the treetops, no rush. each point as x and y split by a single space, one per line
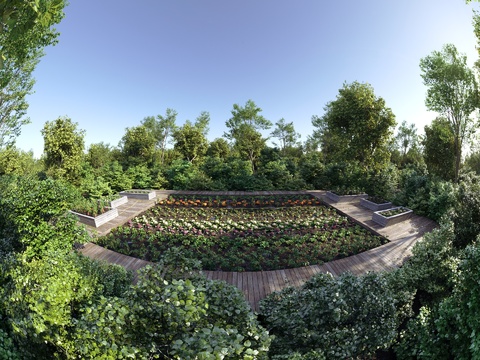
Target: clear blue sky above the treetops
119 61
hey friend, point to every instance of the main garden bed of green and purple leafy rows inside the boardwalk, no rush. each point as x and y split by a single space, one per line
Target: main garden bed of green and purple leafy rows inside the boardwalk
243 239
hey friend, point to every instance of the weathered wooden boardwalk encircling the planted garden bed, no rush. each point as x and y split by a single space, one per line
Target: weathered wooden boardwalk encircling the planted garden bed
257 285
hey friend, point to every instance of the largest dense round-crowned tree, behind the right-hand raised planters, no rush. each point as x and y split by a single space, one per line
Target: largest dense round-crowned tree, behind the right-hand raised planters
356 127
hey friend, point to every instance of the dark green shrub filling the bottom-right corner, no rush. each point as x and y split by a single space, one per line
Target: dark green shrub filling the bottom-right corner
448 330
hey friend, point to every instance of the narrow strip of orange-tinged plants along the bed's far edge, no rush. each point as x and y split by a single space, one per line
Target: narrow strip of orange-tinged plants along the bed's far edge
247 201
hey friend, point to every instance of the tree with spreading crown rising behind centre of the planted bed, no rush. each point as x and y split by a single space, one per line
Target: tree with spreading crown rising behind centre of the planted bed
244 126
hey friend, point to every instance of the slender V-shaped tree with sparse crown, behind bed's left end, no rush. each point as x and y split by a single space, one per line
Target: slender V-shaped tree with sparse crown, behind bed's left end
162 128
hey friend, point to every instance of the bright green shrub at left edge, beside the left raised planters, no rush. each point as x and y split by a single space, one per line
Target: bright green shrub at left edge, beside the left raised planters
33 214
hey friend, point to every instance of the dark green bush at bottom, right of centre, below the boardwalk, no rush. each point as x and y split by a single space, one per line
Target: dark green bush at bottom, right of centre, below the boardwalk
339 318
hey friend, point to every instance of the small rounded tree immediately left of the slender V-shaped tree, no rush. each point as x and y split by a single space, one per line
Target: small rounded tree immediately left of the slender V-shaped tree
138 146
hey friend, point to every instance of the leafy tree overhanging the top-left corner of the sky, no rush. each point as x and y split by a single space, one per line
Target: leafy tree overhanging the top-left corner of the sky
25 29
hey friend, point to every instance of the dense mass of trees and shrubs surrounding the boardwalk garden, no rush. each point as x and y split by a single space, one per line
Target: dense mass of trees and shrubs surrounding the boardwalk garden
57 304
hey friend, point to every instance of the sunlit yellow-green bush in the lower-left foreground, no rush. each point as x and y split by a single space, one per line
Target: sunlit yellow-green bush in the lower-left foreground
46 295
